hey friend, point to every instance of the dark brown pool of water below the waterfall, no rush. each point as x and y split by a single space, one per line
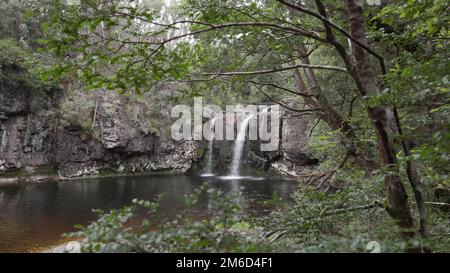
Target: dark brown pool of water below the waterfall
34 216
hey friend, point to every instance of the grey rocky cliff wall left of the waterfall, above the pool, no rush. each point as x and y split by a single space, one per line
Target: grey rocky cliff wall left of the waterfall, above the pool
43 133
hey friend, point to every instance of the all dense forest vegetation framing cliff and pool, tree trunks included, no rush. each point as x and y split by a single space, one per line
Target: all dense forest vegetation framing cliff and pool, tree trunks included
374 79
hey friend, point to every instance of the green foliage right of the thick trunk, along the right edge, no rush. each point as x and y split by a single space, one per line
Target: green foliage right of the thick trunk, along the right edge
414 37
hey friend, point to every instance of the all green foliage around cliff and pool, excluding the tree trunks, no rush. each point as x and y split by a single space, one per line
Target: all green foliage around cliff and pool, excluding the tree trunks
132 48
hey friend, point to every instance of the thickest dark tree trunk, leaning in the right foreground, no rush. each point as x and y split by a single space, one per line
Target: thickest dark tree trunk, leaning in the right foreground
398 206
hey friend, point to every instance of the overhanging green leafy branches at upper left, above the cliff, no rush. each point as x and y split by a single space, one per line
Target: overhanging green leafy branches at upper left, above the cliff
115 62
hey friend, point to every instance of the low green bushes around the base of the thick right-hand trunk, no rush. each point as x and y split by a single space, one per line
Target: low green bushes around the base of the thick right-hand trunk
346 218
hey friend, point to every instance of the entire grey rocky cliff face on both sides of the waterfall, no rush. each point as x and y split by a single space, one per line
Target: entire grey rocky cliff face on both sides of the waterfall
78 133
